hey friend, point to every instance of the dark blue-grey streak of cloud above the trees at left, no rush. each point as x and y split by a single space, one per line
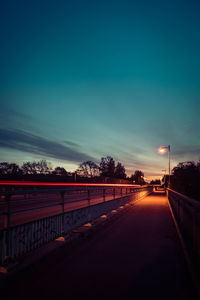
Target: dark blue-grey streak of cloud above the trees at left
27 142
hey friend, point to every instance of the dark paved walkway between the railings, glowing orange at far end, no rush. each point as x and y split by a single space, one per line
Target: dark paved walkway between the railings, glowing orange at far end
135 256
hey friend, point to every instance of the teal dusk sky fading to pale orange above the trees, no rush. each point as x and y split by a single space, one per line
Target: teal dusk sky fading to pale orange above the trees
80 80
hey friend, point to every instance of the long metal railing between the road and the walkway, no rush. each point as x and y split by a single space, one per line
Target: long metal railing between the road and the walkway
69 209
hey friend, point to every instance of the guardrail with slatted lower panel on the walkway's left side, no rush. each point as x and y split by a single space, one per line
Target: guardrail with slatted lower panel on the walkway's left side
23 238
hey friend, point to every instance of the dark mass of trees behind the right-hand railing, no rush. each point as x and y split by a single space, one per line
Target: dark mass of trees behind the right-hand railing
185 179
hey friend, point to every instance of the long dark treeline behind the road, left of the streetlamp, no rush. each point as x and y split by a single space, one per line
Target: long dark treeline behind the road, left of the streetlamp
106 171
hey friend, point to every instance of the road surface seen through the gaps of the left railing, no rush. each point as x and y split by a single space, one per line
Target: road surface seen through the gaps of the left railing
32 206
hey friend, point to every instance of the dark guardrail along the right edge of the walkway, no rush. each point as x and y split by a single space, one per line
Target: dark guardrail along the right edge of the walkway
187 214
